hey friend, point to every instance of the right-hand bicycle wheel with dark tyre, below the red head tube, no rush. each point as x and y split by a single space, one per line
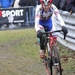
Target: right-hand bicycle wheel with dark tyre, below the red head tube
56 61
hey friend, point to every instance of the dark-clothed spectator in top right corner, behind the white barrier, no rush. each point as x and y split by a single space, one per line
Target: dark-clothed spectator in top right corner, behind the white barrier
70 6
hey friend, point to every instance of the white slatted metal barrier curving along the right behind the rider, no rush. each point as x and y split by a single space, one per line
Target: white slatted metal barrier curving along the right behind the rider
70 25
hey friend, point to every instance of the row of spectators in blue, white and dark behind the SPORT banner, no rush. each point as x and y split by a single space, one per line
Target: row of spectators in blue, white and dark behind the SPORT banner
18 3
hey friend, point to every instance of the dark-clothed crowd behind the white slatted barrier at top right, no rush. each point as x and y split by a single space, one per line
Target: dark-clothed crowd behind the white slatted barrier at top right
67 5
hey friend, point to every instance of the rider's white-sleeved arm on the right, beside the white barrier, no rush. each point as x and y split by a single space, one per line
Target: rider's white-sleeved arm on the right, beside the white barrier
57 15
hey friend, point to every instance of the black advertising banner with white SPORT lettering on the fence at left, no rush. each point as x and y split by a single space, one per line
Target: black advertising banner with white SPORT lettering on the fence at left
12 15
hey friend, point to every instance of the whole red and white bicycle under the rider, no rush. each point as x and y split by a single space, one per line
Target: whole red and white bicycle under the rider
52 67
